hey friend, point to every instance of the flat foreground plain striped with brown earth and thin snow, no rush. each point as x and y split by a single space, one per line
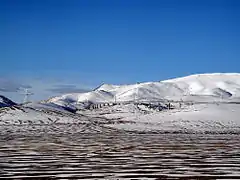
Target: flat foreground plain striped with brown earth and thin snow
123 156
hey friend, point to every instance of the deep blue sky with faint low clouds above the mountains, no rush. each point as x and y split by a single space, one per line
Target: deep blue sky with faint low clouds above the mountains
76 45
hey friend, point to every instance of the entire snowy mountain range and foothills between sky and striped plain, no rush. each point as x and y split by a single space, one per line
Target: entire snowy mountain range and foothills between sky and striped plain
63 114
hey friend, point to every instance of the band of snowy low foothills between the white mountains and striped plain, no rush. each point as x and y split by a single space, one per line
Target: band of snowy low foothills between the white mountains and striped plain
196 118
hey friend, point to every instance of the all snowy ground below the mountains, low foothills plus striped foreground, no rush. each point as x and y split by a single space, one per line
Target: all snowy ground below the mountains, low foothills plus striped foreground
119 142
